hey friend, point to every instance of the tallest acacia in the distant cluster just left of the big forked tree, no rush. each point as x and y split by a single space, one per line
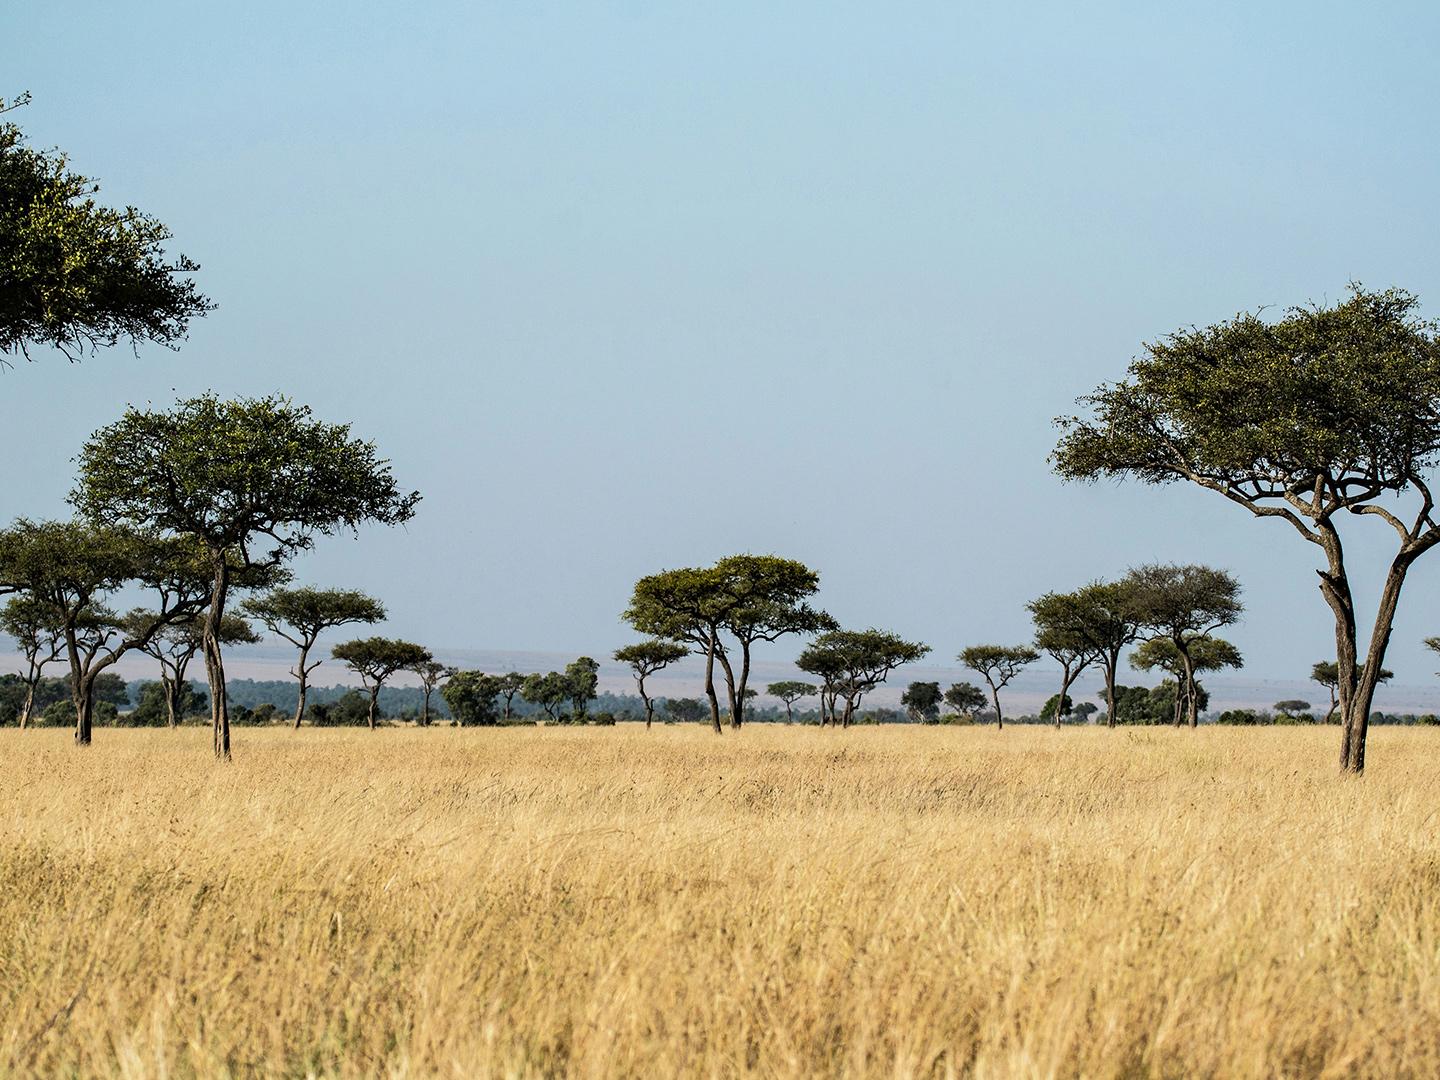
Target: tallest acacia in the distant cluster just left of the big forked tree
1183 604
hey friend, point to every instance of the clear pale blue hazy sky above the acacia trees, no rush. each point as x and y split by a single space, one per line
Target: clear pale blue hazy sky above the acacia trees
623 287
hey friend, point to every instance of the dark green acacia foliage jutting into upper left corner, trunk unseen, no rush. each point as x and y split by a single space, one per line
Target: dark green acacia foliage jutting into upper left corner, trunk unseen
80 276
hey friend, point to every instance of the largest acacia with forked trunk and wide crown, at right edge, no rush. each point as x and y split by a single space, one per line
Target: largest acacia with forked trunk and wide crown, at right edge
1328 413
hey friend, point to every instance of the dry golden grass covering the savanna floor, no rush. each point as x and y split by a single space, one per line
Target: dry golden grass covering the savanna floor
787 902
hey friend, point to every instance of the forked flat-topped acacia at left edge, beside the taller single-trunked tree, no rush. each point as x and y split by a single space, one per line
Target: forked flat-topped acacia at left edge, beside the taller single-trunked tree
73 568
